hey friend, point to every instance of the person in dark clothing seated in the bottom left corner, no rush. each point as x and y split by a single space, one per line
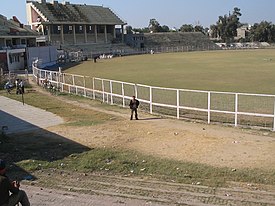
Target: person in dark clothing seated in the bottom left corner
7 187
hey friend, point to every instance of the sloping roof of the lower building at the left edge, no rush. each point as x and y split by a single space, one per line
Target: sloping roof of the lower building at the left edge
13 27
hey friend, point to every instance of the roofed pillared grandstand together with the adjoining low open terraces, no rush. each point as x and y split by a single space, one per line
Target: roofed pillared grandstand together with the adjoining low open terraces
94 30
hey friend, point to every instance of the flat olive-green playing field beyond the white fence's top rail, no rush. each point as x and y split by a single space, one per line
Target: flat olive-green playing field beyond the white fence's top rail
251 71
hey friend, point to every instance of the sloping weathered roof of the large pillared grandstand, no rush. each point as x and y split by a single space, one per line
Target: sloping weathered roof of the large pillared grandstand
75 13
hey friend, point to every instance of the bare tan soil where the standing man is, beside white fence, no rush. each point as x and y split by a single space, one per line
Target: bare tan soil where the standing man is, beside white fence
215 145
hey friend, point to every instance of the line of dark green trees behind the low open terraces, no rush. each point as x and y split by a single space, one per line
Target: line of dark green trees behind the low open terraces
224 30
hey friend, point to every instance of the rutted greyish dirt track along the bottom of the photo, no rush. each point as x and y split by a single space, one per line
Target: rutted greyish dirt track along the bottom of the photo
106 190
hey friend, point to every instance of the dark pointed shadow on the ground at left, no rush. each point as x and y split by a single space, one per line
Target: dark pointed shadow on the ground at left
32 144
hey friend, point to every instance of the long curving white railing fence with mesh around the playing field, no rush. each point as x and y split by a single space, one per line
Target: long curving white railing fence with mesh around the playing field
238 109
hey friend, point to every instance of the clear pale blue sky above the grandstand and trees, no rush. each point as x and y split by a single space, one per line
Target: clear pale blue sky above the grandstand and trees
173 13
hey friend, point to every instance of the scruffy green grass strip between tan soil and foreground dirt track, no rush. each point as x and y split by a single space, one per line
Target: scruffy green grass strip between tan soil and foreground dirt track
119 162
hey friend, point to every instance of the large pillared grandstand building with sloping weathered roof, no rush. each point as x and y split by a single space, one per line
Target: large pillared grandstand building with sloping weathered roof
73 24
